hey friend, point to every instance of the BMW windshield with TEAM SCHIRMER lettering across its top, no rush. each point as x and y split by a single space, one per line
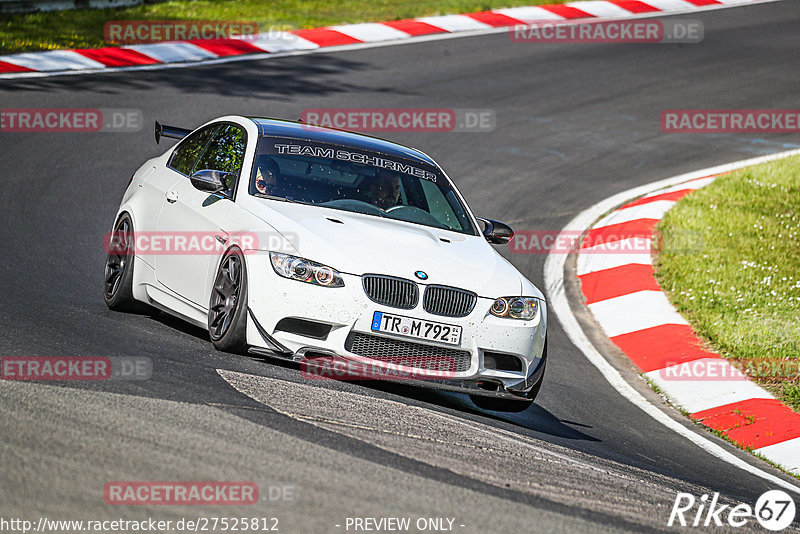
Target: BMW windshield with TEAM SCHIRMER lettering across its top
355 180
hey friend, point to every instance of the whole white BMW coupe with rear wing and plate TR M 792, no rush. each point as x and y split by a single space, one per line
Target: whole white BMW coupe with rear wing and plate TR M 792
301 242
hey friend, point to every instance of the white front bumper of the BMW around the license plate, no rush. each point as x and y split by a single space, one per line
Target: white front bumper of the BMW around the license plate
347 311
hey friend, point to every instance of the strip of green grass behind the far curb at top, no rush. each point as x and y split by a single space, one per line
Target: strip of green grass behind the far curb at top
84 28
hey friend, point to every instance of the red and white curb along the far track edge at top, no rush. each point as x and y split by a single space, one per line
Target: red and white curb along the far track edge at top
148 56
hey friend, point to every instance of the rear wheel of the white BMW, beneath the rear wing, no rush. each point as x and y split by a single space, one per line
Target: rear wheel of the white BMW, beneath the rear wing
118 275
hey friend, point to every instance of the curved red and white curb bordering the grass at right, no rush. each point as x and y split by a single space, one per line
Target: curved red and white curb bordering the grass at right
626 300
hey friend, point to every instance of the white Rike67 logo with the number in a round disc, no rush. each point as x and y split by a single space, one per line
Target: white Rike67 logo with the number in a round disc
774 510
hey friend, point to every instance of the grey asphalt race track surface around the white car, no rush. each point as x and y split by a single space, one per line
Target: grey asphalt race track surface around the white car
575 123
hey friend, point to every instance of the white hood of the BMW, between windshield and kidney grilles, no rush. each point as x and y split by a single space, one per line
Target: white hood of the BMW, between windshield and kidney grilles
357 244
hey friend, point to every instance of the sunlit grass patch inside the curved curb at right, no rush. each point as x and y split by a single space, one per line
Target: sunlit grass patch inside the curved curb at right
739 285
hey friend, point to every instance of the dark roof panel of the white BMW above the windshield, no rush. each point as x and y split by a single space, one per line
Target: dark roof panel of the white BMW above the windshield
299 130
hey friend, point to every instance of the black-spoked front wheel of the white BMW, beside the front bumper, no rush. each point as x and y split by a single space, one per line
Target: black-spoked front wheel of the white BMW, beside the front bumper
227 309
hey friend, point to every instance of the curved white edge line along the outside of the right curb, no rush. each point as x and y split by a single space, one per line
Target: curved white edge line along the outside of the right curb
554 286
